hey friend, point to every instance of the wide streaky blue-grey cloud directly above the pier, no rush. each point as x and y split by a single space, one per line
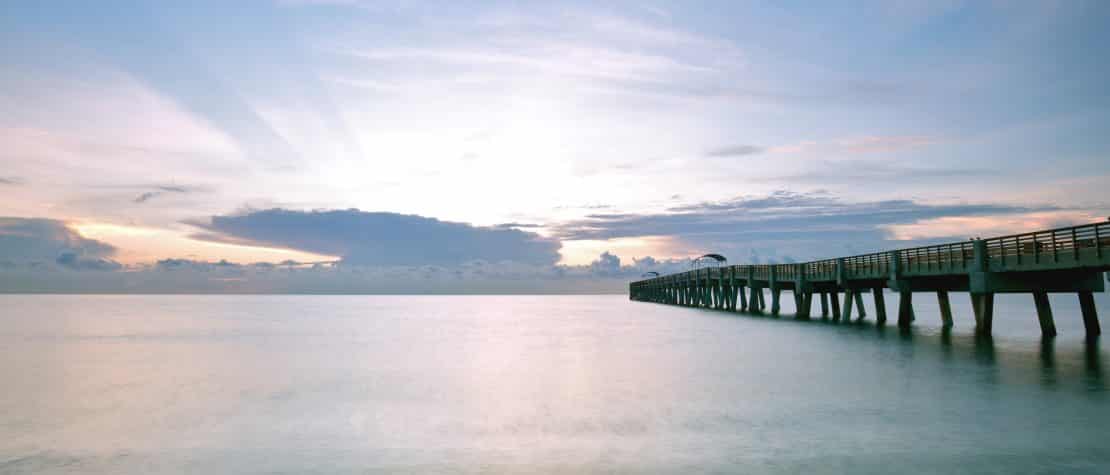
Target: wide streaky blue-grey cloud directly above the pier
782 226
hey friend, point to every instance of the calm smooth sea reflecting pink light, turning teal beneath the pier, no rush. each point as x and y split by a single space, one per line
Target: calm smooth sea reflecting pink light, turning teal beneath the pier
537 385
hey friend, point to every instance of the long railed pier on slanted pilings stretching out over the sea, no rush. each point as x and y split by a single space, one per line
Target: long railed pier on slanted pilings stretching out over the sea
1066 260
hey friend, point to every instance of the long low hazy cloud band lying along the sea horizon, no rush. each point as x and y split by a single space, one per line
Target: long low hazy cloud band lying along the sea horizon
186 276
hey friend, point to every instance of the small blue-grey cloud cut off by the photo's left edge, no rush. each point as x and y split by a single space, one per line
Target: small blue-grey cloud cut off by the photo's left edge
42 241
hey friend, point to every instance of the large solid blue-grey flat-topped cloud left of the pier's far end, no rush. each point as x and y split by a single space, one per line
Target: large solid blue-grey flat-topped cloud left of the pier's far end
381 238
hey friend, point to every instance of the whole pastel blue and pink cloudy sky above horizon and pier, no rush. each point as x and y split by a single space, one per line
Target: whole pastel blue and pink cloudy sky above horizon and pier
457 147
